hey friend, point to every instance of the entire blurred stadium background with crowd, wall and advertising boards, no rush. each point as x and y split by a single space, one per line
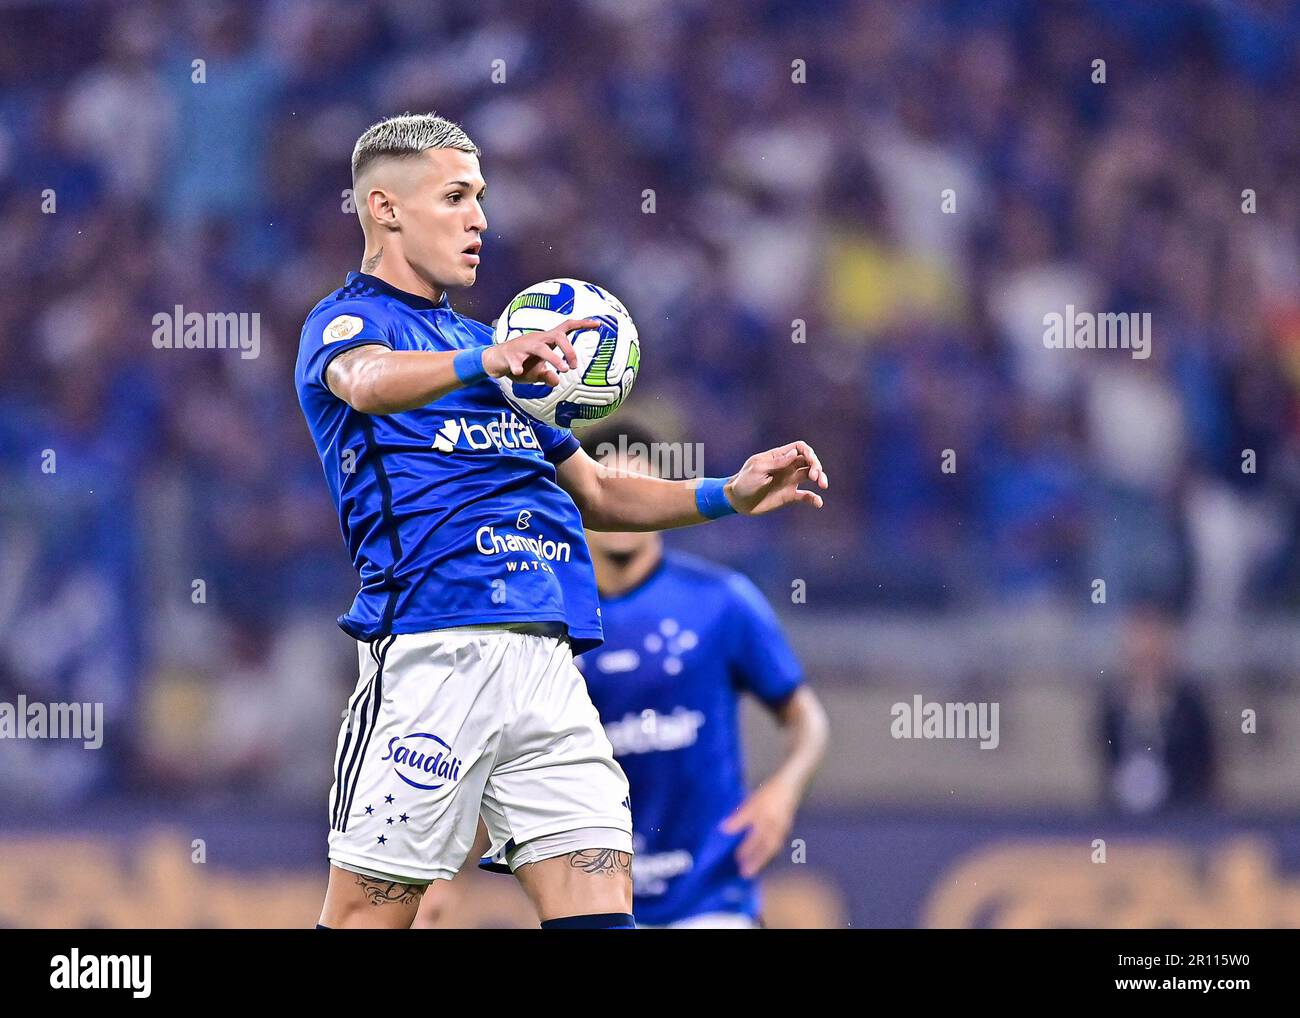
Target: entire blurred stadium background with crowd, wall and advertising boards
774 202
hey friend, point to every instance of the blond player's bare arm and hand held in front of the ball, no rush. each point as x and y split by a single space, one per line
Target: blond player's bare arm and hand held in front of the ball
374 379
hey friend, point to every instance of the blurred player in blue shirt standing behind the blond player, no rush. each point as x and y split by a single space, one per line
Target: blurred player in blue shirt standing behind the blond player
684 639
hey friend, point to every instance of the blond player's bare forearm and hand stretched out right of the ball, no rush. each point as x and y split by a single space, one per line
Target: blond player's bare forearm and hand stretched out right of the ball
614 500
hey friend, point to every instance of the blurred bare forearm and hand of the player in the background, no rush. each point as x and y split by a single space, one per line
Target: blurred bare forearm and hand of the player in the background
769 813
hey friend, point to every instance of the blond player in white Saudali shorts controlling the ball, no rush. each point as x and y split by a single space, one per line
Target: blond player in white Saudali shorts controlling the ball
465 521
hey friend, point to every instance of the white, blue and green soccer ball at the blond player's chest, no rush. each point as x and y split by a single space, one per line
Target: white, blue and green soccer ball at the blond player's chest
608 358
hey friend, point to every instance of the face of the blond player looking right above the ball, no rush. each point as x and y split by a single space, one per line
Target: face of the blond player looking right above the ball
443 220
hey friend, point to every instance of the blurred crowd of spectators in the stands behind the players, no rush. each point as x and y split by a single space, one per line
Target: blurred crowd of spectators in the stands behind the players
781 210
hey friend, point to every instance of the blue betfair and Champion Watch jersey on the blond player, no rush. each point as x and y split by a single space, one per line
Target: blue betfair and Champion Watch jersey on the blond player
450 512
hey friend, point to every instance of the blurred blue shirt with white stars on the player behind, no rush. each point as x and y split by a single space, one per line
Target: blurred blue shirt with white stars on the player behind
679 651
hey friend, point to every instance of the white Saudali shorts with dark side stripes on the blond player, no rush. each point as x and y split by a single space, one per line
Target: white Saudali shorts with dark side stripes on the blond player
449 725
